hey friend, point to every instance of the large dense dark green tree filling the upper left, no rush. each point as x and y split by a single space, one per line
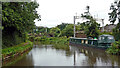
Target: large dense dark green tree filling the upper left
17 20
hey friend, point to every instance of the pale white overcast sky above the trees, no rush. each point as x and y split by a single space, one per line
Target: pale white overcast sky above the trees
54 12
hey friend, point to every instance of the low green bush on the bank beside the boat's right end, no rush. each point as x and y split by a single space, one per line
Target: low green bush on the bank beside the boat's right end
114 49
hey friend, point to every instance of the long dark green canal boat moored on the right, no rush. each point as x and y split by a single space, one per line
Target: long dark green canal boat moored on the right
103 41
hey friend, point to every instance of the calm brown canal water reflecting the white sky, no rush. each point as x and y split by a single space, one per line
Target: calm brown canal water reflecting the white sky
46 55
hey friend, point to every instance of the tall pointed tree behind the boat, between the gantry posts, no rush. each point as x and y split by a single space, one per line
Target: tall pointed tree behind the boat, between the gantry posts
92 27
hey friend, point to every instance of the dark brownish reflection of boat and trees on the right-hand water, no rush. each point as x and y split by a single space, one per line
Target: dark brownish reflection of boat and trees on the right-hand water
95 57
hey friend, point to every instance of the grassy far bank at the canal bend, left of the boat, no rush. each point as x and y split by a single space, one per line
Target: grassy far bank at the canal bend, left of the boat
57 42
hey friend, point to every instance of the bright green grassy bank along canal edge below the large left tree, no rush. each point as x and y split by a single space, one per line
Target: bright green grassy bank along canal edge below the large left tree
16 50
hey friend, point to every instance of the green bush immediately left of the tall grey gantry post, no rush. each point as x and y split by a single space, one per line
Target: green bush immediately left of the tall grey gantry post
68 31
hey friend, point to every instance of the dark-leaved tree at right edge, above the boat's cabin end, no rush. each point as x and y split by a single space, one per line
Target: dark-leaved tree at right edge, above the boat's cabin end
115 13
